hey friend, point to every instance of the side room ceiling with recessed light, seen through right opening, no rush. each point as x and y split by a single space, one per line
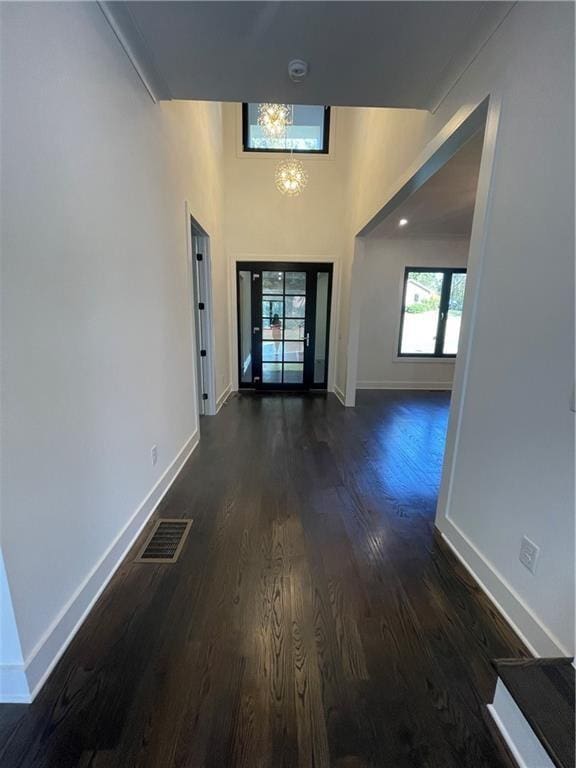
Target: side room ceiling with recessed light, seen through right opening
444 205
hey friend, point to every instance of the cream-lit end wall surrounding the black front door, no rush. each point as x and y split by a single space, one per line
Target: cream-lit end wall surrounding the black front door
263 224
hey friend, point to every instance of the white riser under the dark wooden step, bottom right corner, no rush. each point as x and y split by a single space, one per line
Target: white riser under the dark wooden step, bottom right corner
516 731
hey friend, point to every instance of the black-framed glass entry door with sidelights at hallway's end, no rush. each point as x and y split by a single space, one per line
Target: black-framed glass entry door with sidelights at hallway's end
283 325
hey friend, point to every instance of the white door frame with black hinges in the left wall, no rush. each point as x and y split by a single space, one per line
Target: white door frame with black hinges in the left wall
204 369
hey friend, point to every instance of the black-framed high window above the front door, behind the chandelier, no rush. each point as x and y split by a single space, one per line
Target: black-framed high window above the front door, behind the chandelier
308 130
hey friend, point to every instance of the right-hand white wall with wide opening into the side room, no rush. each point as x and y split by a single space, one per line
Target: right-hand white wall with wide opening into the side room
514 462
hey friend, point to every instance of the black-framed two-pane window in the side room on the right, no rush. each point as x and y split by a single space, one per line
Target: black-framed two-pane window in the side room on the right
431 312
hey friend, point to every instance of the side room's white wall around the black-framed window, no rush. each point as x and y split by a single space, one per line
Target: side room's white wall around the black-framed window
385 260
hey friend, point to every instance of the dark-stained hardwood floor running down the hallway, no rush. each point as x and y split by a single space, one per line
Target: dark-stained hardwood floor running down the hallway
313 619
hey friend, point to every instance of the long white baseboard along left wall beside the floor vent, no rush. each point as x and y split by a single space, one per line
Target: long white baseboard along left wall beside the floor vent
49 649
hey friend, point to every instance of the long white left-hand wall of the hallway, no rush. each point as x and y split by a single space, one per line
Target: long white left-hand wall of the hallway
97 359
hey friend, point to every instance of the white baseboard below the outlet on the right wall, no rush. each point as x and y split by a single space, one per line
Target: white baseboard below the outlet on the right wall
537 637
